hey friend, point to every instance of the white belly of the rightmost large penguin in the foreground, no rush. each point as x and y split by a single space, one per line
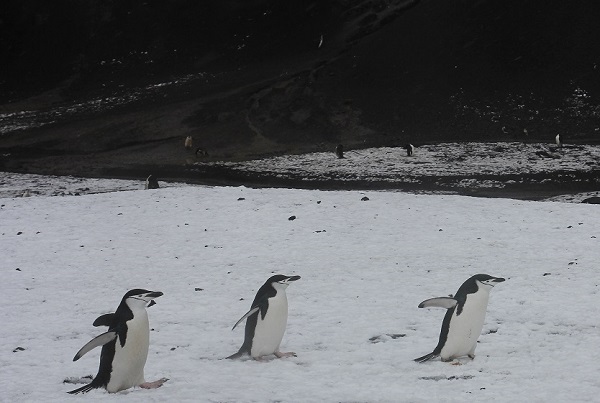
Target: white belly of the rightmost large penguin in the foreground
465 328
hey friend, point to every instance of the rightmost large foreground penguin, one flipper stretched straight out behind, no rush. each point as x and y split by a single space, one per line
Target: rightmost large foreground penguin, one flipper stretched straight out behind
463 322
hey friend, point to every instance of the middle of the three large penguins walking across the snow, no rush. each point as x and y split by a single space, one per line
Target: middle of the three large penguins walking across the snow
267 320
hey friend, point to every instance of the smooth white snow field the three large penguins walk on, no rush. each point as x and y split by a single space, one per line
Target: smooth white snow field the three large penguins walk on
353 320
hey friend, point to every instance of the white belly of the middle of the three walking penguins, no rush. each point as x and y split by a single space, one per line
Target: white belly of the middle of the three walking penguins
269 331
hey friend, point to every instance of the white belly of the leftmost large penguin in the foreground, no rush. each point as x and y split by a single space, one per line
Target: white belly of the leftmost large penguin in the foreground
129 361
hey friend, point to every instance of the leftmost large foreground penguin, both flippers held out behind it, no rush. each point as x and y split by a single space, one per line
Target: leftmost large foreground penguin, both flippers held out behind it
124 345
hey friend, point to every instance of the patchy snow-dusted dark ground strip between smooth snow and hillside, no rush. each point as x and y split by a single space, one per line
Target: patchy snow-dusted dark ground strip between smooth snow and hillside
508 170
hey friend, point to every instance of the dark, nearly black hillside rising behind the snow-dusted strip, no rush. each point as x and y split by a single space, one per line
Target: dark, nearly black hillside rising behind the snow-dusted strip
120 84
